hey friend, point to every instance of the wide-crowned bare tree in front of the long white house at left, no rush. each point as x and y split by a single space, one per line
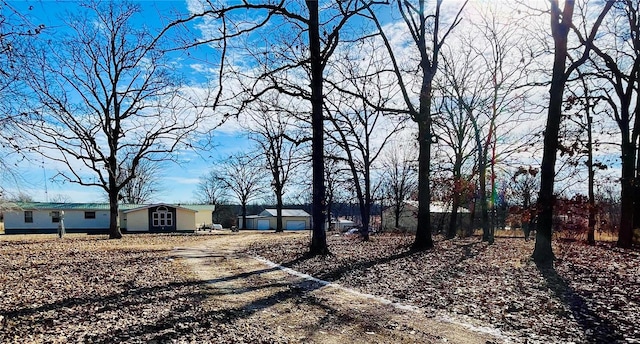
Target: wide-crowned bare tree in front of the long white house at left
105 94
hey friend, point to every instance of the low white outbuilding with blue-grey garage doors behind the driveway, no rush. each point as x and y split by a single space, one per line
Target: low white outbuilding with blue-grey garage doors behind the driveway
292 219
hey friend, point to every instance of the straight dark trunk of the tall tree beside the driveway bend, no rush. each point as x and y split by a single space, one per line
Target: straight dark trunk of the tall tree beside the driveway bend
319 238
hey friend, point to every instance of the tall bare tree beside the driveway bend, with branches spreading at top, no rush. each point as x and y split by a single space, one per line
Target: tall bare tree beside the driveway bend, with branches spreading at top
312 37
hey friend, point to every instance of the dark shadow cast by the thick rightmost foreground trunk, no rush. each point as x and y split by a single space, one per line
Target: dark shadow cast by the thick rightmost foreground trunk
596 328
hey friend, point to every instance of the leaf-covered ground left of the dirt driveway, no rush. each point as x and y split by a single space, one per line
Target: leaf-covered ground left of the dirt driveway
88 289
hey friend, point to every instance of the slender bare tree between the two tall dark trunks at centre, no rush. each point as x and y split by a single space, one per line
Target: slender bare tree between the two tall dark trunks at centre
361 131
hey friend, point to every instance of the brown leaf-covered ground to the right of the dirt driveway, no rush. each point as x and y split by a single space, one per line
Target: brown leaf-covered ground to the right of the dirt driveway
592 295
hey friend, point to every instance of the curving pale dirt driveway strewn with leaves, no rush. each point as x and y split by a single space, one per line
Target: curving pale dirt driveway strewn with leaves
300 309
